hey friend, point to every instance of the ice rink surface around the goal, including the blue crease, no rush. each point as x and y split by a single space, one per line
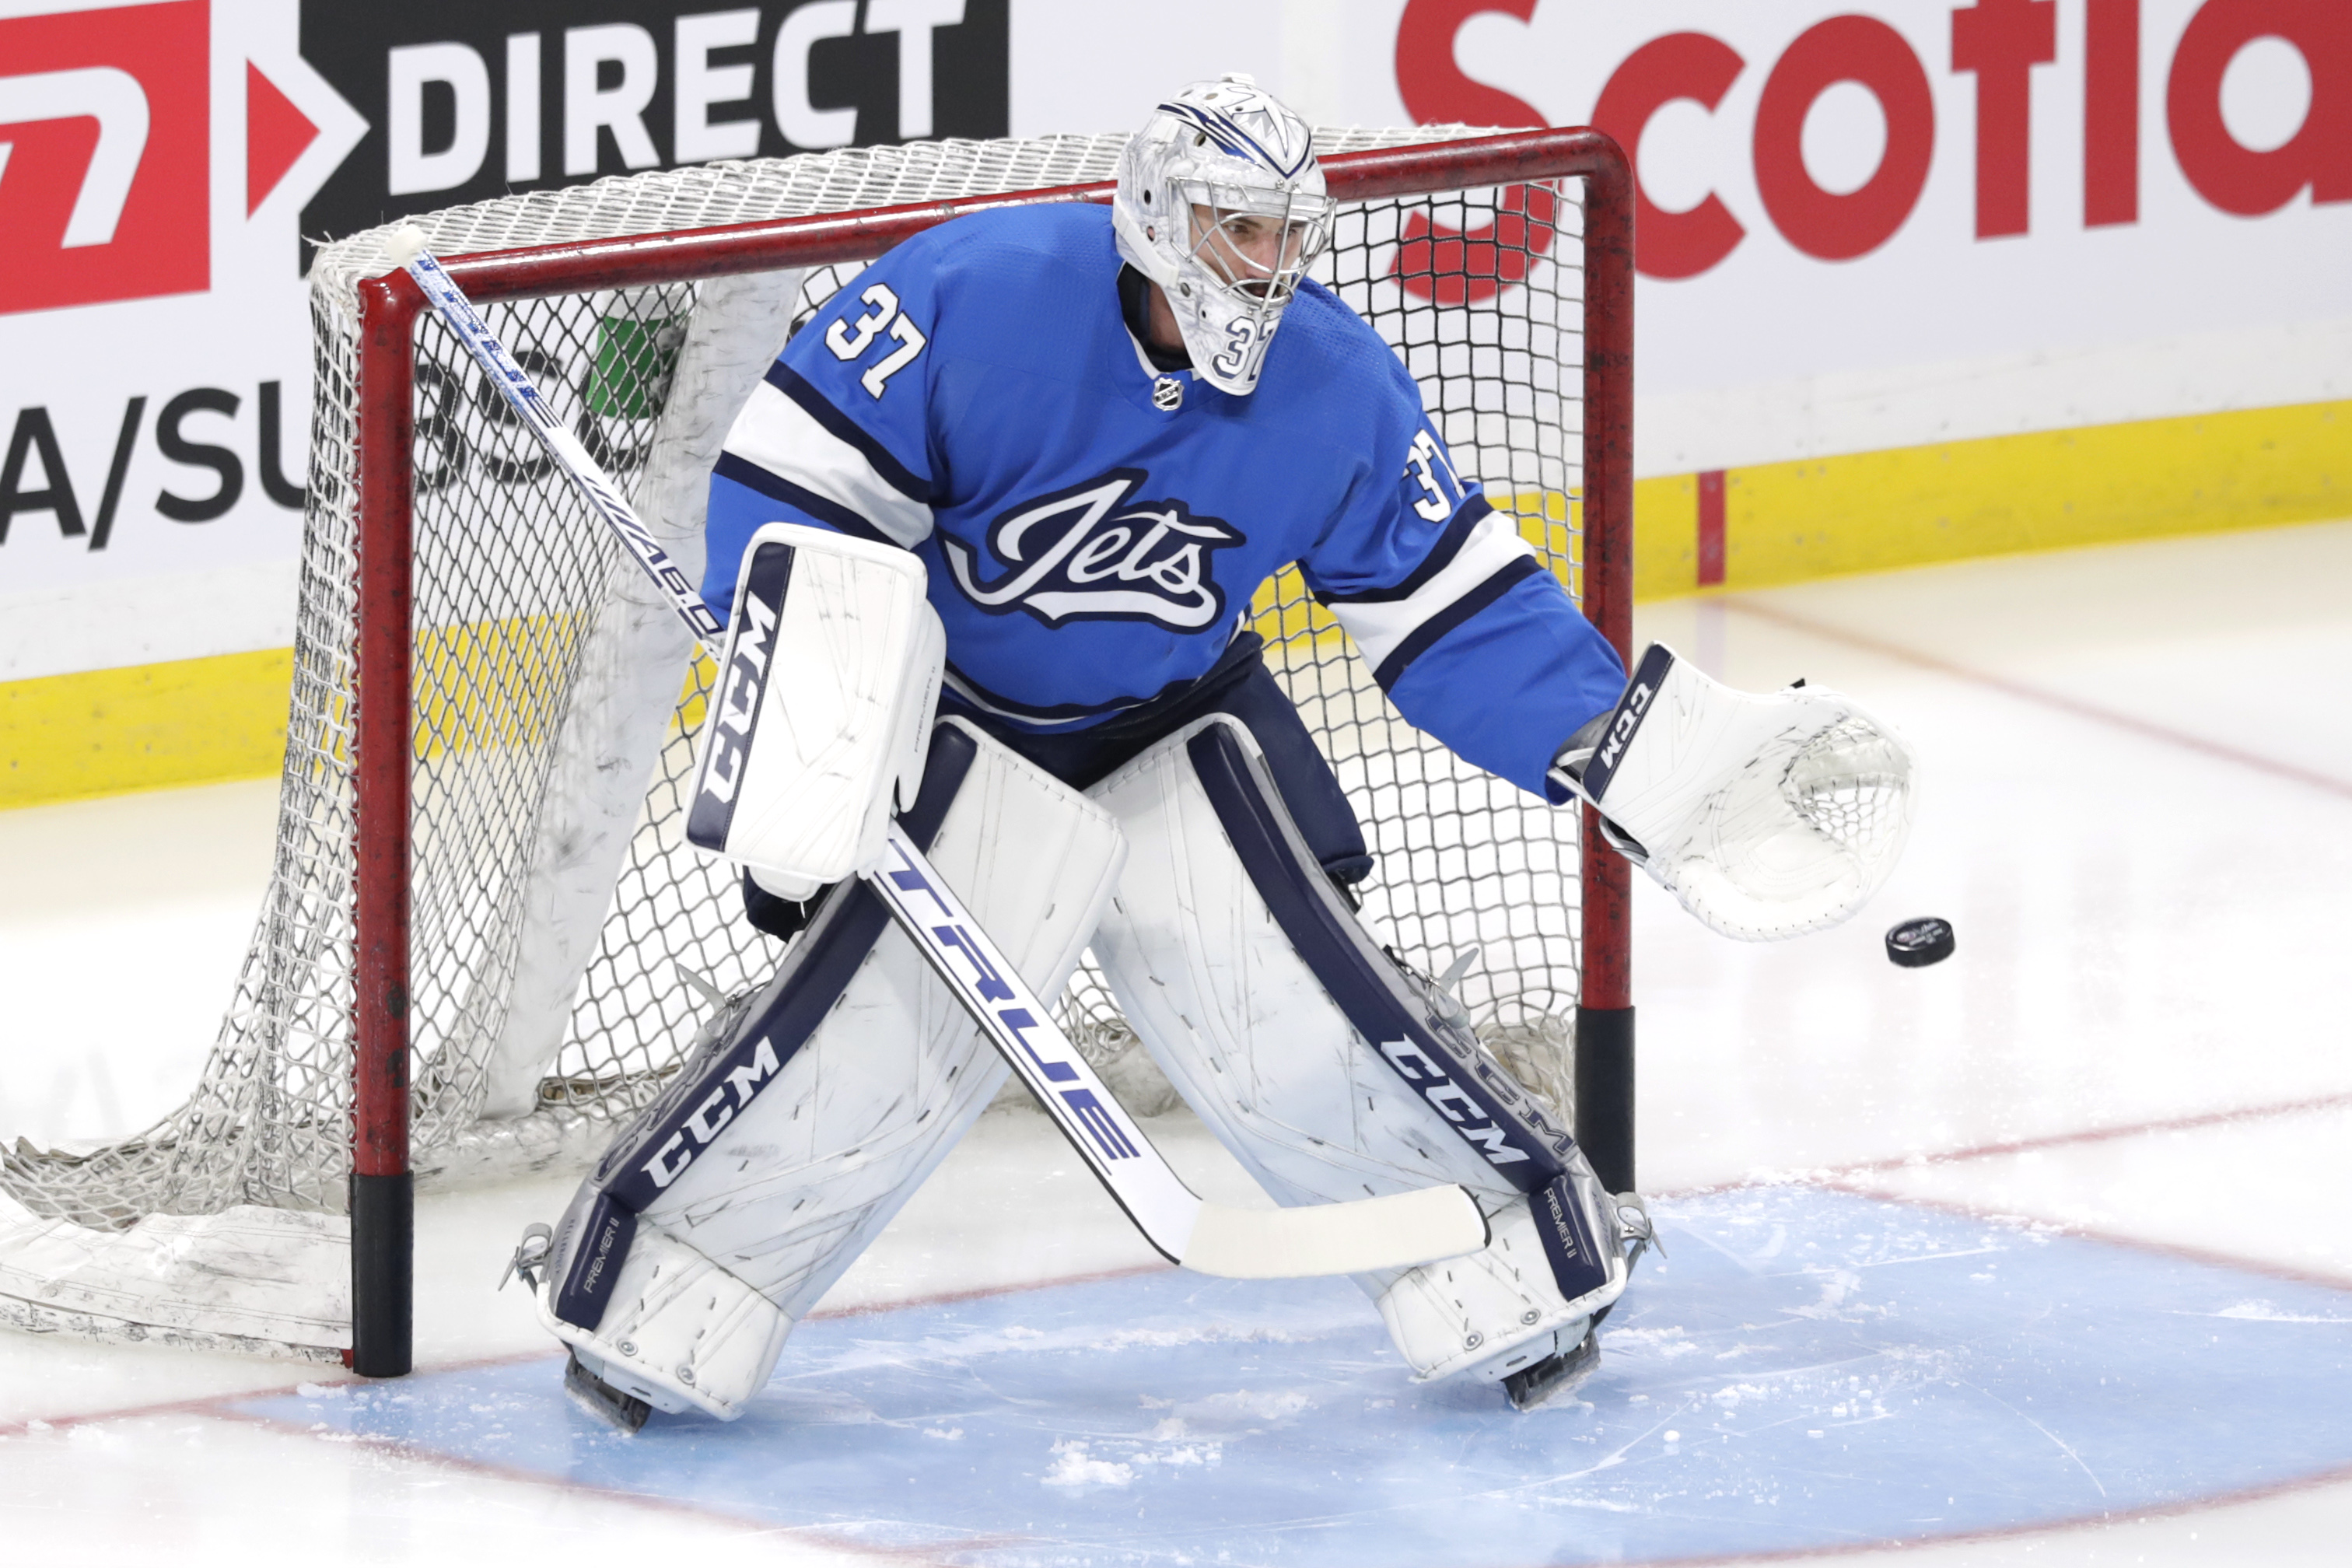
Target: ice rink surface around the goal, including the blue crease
2139 817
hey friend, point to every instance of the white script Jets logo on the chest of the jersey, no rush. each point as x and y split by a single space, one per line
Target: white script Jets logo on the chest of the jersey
1097 554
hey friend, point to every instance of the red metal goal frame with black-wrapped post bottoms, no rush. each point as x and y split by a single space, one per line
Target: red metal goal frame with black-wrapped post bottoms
385 737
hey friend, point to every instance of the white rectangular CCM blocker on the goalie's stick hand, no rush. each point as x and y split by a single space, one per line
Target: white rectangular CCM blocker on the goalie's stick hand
834 666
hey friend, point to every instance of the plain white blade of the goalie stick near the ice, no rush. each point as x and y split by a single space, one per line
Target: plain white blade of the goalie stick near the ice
1394 1233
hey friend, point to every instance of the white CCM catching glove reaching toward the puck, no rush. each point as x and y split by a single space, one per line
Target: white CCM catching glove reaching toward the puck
1765 817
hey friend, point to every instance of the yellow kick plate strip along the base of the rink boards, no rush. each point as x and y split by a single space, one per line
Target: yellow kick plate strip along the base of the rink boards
206 721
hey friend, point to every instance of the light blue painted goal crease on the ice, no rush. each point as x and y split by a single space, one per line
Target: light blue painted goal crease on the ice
1805 1372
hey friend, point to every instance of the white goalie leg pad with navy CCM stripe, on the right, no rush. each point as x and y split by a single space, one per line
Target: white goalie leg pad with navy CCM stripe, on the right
1321 1064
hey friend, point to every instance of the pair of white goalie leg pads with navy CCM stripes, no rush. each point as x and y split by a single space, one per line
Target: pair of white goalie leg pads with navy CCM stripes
815 1111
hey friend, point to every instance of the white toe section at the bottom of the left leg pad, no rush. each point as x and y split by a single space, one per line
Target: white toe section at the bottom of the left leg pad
681 1334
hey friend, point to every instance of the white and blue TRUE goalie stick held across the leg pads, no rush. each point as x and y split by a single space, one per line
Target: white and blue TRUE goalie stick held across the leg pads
1358 1238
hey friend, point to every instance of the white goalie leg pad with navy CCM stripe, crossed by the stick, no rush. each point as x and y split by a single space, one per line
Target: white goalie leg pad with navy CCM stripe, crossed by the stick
815 1108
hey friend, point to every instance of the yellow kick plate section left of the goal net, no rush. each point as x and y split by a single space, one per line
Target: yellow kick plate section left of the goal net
145 728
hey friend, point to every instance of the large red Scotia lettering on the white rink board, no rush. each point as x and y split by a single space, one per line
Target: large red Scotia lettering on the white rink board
1932 69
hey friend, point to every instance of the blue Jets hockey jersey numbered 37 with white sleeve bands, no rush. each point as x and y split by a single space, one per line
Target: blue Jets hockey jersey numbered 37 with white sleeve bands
1095 528
